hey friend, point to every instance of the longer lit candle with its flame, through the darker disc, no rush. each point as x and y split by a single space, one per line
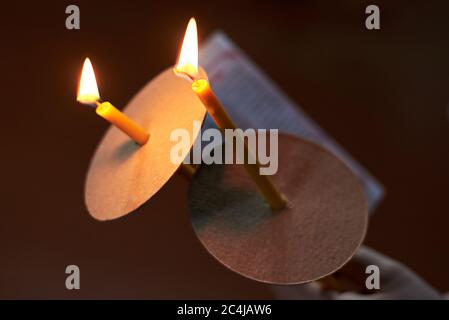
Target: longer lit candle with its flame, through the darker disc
188 65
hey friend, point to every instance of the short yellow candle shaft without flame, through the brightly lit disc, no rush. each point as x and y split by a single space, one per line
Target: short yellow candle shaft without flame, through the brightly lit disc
121 121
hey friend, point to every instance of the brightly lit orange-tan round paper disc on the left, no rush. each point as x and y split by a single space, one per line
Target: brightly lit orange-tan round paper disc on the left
123 175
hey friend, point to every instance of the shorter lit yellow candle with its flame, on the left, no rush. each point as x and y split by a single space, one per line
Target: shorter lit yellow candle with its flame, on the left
88 94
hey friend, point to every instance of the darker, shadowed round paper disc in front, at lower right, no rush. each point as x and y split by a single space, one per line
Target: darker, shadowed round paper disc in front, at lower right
318 232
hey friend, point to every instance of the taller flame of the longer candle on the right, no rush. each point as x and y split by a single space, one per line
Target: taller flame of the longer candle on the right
188 57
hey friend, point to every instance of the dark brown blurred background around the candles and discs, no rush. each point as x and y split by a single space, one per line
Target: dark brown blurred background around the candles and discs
382 94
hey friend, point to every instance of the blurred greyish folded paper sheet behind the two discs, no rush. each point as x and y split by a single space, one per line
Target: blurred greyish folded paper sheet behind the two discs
254 101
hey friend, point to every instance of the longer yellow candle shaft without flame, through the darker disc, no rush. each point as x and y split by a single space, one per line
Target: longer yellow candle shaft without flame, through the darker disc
223 120
